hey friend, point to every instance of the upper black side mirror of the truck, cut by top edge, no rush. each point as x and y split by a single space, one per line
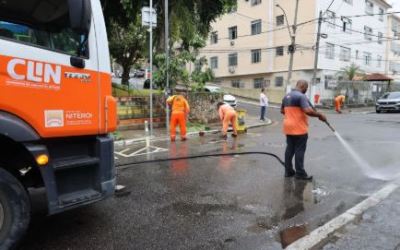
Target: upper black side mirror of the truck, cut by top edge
80 15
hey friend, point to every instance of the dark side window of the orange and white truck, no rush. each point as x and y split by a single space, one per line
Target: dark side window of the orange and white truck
53 34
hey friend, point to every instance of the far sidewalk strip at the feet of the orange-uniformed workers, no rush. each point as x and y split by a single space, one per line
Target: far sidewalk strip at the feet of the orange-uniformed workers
161 133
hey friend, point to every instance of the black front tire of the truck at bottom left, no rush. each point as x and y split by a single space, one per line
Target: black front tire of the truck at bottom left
14 210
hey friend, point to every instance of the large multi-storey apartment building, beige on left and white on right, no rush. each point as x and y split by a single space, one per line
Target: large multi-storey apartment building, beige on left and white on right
248 48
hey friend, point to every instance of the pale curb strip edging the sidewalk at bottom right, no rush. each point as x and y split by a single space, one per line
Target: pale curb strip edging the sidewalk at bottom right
322 233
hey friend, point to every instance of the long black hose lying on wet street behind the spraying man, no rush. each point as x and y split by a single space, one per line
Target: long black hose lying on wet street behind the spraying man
203 156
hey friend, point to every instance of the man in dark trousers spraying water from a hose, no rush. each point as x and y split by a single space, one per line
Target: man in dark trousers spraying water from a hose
296 107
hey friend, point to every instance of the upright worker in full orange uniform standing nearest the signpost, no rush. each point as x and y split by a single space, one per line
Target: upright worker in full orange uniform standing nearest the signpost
179 111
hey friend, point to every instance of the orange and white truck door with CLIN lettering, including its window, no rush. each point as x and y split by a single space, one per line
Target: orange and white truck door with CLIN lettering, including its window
48 72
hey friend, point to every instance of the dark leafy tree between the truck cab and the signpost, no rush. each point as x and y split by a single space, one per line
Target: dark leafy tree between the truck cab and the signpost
127 37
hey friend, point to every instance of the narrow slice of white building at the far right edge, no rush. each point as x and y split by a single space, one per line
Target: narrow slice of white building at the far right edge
393 48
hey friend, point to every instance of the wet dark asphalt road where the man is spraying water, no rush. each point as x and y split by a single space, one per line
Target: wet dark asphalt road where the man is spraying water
241 202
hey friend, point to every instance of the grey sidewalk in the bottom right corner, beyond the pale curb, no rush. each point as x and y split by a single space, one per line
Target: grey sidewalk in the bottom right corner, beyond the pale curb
378 228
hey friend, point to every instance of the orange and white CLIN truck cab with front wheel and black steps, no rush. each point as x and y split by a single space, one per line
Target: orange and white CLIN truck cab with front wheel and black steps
56 109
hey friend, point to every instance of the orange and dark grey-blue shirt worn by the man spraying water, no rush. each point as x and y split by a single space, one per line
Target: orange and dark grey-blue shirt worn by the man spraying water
295 121
